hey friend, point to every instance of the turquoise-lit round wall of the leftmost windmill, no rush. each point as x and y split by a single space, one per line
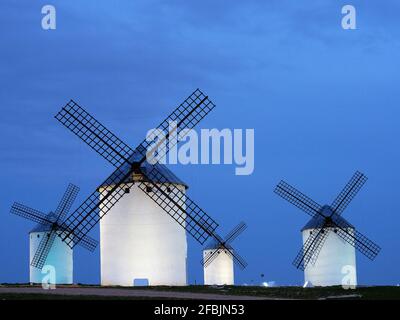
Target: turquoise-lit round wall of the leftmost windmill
60 257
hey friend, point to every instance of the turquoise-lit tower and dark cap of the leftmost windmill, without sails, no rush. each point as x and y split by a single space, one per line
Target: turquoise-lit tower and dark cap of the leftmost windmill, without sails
58 268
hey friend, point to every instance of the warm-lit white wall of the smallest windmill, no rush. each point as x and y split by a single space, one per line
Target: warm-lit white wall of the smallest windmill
219 271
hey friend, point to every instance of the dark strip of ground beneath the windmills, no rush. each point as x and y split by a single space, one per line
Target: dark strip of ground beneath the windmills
84 292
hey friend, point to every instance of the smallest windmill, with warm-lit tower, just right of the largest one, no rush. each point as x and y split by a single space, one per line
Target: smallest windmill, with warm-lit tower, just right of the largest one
218 258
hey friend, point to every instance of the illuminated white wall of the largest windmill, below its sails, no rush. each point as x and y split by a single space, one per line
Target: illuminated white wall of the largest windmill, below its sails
139 240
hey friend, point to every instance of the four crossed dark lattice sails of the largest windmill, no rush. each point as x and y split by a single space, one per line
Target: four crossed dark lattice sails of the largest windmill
188 114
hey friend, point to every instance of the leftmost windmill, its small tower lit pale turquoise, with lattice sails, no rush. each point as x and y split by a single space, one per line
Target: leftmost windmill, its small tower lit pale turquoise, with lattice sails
45 247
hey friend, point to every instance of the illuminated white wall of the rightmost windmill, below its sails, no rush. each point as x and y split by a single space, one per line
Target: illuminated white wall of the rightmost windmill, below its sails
336 263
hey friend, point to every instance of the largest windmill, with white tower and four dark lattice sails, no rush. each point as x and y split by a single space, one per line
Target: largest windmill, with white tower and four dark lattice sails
159 254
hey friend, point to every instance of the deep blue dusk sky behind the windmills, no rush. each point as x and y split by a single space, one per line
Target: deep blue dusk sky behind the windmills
323 101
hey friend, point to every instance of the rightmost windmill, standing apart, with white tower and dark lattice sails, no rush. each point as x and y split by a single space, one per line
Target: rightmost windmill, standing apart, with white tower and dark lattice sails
329 241
